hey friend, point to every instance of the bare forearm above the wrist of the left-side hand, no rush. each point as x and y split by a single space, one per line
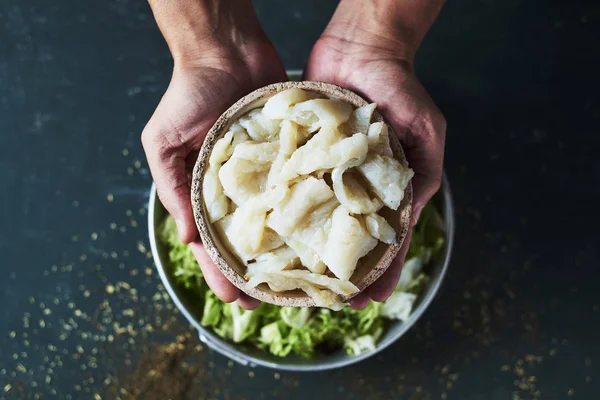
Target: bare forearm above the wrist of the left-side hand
197 29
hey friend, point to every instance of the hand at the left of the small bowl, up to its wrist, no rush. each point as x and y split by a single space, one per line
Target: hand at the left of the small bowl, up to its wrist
199 92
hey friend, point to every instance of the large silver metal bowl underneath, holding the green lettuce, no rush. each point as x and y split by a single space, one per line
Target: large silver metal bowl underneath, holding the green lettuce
248 355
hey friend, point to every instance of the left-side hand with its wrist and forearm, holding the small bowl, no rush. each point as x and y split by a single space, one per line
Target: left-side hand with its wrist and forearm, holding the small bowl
211 71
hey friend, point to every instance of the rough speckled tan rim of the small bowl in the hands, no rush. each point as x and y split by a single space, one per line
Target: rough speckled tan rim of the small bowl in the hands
221 126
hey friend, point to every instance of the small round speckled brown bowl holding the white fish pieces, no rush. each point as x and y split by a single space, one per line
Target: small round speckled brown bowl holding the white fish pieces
369 268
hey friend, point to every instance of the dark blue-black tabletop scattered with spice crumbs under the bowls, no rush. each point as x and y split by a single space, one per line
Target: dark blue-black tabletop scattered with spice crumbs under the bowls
518 316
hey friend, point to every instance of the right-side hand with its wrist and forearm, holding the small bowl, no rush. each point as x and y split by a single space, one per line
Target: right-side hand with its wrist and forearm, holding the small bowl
372 55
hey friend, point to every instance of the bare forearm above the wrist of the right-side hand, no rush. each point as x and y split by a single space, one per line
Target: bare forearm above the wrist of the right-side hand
397 25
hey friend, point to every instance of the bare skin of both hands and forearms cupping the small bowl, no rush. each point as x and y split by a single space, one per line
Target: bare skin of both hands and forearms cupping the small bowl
221 53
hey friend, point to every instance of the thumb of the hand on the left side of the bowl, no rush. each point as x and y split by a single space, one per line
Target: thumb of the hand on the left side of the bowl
167 162
